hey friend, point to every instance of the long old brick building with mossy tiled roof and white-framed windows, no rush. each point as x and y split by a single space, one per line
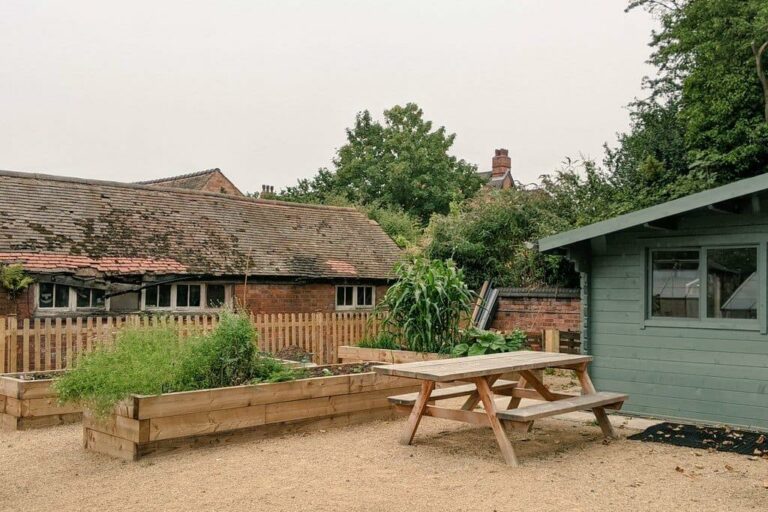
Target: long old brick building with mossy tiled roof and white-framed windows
97 247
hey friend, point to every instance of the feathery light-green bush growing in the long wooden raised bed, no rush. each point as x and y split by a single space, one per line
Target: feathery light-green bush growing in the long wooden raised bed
150 361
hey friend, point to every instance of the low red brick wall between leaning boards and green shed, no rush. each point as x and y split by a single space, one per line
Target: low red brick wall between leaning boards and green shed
537 310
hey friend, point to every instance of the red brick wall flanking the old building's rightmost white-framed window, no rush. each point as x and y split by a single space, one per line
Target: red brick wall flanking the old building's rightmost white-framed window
292 298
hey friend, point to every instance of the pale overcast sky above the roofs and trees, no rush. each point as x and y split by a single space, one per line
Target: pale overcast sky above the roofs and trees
264 90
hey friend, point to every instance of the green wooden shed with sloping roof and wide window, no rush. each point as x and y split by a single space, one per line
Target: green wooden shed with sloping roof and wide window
674 304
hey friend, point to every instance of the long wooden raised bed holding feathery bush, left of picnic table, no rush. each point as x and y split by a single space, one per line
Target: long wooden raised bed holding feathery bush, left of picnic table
143 425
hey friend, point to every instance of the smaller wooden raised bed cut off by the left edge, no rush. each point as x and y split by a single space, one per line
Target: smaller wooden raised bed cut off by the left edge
29 401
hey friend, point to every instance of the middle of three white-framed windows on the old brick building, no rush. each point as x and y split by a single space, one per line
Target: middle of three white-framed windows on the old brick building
186 296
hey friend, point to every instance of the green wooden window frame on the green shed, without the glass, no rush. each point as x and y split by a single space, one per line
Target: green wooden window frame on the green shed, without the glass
703 322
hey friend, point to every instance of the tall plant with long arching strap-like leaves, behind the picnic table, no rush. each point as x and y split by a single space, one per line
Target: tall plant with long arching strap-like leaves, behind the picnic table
426 304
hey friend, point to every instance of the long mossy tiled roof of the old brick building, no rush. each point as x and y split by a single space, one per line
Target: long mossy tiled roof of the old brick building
52 223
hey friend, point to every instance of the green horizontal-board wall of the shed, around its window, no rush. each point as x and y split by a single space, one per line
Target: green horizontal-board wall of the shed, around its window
695 372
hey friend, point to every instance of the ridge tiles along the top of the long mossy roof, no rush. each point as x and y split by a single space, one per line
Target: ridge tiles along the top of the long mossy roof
172 190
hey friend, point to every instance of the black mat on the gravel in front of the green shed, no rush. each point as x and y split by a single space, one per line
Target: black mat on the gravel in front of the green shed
708 438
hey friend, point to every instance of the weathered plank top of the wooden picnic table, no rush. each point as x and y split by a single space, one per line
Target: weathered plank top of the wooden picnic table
461 368
